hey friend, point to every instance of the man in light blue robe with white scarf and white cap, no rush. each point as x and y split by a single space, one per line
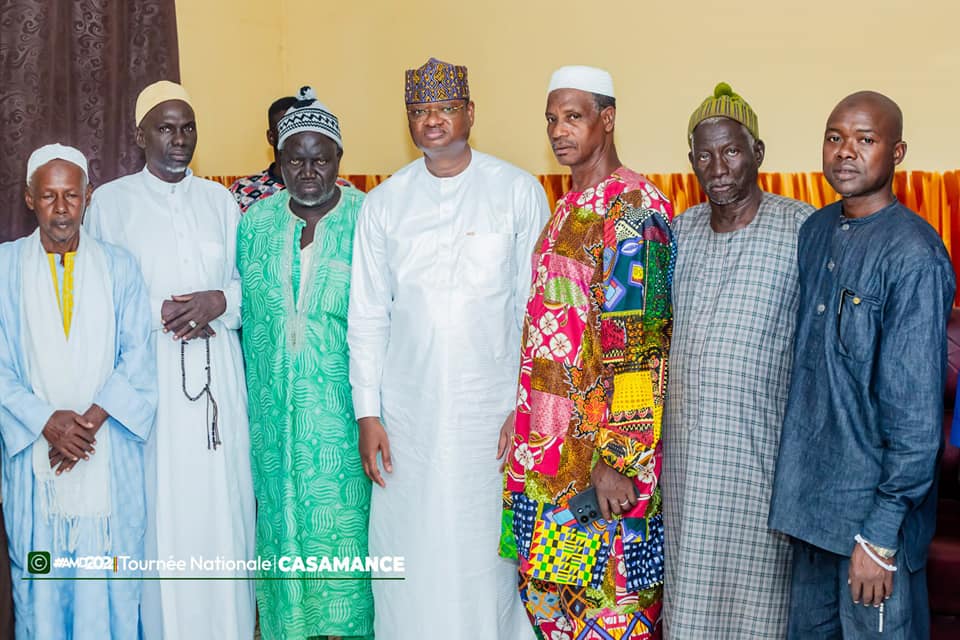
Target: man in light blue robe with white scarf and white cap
77 401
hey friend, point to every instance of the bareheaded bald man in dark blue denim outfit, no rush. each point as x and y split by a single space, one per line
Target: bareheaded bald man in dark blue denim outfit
854 478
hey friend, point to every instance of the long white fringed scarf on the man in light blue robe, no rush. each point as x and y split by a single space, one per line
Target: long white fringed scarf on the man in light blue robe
68 373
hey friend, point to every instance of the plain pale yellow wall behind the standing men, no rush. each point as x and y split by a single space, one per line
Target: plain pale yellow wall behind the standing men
792 61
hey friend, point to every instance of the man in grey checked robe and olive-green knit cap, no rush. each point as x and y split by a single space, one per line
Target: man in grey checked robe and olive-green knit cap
735 293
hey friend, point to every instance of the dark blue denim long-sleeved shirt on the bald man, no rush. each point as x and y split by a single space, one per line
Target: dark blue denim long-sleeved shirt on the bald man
864 417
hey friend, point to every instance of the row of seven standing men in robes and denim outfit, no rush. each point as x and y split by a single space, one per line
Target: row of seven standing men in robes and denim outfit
396 345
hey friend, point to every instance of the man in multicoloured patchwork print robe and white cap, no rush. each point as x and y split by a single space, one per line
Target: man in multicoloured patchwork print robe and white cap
592 379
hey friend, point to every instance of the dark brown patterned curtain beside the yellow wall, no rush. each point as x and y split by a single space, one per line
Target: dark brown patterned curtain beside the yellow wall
70 72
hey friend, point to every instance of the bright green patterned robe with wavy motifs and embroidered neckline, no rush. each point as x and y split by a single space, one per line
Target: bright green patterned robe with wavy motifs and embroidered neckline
313 498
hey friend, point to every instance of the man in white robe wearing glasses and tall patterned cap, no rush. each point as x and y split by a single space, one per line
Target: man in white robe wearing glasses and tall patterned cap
441 274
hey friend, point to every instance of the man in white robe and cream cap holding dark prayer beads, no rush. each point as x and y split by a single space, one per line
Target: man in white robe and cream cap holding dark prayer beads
182 230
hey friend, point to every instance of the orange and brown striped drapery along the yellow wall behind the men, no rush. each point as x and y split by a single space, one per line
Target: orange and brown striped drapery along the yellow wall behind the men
935 196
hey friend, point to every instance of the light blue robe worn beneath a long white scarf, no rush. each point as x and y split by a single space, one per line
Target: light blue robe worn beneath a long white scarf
68 609
